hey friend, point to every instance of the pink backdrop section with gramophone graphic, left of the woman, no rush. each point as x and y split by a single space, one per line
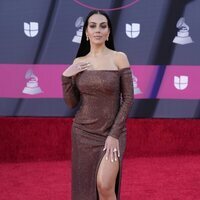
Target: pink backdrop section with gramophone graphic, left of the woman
31 81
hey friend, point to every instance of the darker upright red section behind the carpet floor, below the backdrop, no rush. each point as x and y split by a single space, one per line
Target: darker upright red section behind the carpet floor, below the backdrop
35 139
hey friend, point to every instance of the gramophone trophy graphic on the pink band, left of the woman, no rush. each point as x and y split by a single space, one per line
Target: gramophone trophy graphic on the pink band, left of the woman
32 87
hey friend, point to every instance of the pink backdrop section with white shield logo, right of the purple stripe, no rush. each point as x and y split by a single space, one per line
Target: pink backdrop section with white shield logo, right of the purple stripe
180 82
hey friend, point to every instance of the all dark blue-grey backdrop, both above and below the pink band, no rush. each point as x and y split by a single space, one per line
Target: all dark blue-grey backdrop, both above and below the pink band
53 45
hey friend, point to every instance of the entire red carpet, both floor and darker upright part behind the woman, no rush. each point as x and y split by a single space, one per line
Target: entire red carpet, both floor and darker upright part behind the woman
162 160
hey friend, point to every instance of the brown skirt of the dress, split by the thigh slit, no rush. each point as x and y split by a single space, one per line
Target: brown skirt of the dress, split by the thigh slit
85 167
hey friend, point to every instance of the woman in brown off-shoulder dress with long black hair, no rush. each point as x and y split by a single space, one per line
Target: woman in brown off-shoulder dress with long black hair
100 79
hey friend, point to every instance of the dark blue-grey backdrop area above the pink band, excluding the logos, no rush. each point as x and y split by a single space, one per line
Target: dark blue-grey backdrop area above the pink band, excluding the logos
56 19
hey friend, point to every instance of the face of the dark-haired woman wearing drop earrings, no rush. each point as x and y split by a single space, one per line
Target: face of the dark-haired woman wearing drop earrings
97 29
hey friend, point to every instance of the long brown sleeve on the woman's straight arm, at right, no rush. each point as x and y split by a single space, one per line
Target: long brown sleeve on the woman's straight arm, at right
126 85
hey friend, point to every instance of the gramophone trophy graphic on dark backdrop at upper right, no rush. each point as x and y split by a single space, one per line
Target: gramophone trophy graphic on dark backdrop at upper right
183 33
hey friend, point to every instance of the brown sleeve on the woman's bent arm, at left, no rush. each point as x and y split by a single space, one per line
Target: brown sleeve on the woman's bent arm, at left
70 91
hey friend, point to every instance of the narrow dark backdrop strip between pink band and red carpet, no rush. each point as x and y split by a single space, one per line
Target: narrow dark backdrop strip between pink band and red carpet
142 108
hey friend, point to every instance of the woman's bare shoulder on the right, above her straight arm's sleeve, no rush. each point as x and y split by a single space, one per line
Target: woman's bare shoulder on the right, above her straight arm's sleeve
121 60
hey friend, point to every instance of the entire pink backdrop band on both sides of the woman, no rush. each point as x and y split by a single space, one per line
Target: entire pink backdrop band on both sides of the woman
44 81
